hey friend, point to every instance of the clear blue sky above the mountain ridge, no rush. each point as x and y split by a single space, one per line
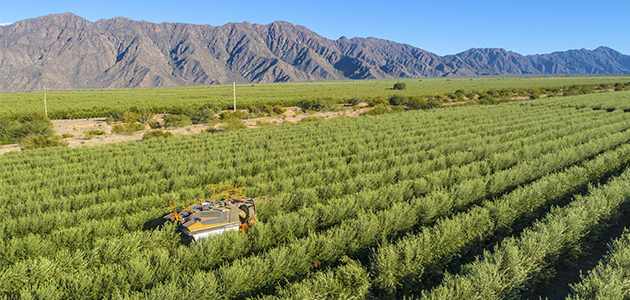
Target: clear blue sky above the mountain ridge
442 27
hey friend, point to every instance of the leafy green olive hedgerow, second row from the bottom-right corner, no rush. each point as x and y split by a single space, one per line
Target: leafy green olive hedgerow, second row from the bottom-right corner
518 262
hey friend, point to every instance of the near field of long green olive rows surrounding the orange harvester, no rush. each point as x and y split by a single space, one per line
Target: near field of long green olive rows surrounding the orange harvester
467 202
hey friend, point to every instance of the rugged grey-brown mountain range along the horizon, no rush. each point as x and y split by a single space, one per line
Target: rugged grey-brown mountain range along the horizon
65 51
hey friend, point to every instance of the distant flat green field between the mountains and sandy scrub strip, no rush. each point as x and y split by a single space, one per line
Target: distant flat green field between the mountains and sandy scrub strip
95 103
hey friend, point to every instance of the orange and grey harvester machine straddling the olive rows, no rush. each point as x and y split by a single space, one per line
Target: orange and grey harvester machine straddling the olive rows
226 210
